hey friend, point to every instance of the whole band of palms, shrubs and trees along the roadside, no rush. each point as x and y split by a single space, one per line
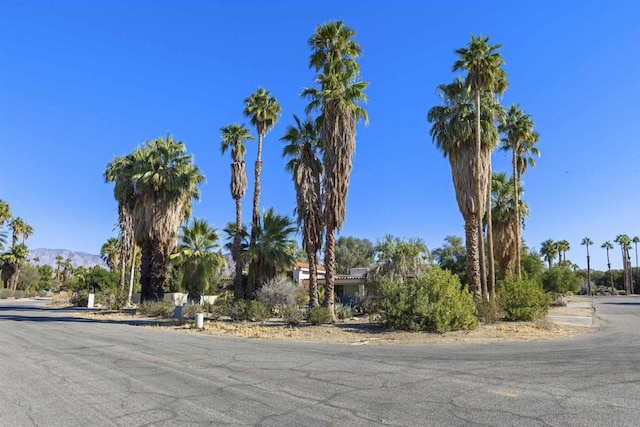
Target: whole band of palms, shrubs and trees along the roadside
487 275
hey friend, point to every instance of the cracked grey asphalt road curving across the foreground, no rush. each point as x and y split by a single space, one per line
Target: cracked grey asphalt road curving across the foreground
58 370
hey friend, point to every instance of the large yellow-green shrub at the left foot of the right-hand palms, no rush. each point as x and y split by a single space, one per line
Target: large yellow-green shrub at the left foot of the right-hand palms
436 302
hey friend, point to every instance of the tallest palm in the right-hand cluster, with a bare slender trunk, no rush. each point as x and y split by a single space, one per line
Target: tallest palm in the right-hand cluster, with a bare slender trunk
483 64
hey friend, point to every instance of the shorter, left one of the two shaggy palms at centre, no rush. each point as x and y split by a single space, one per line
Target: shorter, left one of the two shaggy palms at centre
306 169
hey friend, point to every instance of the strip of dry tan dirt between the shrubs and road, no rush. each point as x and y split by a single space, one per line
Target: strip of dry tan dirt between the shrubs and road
357 331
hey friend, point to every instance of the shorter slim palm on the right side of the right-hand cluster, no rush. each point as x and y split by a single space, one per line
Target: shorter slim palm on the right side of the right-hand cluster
520 139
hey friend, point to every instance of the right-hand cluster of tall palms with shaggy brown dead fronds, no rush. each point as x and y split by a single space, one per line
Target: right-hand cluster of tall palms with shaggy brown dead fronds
467 129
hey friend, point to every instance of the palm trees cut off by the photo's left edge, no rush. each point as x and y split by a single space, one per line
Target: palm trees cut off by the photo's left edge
12 260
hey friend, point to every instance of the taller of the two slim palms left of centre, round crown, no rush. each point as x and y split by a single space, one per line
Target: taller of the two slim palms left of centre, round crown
263 110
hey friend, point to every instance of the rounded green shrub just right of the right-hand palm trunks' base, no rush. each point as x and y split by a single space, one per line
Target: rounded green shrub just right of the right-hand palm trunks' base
522 299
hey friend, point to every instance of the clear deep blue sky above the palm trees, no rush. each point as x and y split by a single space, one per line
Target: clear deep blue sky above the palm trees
84 81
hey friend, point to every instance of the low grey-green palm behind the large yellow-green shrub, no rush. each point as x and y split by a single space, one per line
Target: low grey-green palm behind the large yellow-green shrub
399 259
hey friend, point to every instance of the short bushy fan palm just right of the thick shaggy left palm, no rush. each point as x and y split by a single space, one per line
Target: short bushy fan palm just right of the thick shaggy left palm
198 258
